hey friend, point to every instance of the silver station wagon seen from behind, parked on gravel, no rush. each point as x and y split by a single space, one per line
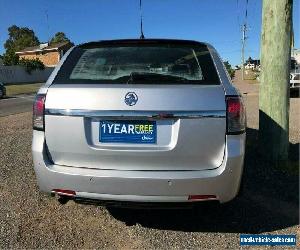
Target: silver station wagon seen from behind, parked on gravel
139 121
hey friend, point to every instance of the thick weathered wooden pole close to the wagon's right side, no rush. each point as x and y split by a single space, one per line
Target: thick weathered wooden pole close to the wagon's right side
274 84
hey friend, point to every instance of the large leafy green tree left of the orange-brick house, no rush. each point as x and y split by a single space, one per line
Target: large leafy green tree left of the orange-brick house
19 38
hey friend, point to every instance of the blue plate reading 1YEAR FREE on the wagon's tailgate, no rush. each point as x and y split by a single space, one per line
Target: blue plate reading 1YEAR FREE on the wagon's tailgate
127 132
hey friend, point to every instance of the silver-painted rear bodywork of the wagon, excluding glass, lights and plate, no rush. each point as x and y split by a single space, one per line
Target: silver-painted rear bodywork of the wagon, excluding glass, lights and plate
193 154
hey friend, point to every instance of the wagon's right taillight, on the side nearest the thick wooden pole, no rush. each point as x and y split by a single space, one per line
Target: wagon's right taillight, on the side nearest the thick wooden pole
236 116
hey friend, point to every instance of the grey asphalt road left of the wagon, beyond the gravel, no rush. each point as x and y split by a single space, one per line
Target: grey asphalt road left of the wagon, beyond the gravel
15 105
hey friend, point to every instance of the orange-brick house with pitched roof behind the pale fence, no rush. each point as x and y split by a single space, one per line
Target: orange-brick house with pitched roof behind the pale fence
49 54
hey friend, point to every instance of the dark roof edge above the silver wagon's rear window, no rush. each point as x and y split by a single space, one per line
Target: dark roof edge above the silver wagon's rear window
140 41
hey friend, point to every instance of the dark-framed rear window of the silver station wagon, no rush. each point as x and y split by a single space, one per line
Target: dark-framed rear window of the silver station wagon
139 64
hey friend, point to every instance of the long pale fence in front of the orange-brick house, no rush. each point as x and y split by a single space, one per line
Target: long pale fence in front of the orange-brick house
17 74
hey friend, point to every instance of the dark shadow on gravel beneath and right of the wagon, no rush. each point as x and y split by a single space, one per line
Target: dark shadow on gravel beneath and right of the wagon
268 201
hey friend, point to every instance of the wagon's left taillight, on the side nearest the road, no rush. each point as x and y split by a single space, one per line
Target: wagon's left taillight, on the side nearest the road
38 112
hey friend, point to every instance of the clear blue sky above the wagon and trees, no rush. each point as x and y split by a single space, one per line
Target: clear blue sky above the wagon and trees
215 21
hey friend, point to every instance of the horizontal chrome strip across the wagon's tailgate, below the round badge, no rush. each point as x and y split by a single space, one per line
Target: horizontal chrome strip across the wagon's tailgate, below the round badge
137 114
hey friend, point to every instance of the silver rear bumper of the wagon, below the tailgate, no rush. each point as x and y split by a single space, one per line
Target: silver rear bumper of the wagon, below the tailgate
142 186
